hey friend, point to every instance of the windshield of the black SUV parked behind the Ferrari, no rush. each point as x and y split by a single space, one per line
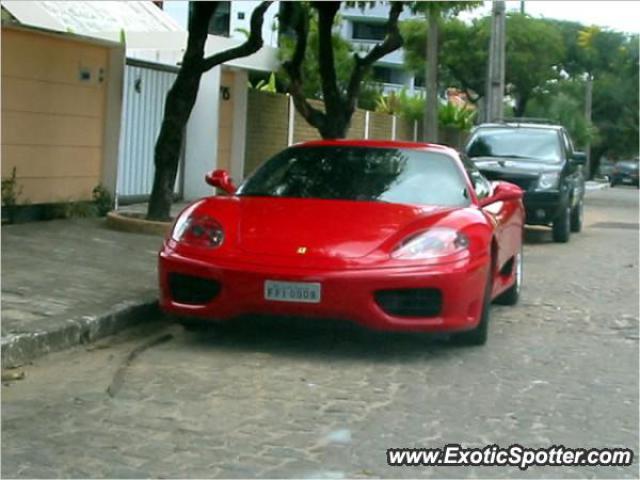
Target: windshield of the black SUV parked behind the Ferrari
530 143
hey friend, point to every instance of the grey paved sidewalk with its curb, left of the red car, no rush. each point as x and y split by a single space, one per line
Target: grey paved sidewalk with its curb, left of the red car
66 282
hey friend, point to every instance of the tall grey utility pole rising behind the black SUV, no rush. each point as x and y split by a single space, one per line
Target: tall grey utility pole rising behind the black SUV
495 77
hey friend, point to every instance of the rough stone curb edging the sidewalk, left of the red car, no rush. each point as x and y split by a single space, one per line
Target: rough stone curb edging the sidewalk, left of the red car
21 348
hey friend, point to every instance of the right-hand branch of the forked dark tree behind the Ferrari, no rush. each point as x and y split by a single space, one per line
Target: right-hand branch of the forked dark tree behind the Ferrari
392 41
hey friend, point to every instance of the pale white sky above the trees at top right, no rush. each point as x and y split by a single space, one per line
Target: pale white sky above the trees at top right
617 15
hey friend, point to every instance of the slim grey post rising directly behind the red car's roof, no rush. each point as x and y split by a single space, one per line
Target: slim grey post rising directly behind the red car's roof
431 75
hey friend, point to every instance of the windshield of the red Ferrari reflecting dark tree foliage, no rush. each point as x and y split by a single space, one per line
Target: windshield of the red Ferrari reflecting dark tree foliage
360 173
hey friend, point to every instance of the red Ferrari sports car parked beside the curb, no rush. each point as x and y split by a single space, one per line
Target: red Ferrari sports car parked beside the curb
391 235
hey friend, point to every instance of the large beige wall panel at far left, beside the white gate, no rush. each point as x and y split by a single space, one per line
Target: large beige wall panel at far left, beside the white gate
53 123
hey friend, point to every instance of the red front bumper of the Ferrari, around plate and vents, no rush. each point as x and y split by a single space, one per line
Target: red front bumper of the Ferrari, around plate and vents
346 294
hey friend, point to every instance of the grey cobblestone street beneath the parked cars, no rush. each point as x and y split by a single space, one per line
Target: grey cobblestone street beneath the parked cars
324 400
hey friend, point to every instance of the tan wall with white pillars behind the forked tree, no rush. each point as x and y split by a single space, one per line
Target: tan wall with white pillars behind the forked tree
271 124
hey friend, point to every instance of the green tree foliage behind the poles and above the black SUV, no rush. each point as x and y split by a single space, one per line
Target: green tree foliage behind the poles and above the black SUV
546 65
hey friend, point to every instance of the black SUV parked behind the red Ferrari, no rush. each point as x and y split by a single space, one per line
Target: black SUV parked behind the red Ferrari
539 158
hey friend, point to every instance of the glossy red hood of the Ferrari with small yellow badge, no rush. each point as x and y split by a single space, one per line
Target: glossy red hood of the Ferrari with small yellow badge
323 228
